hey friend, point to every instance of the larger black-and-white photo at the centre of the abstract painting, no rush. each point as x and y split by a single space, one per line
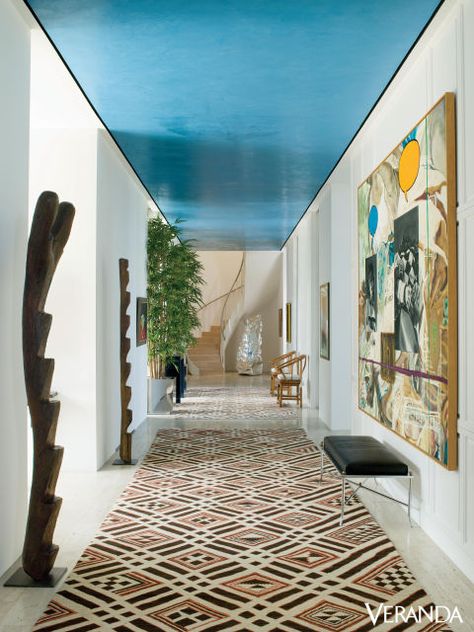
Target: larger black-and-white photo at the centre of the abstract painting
407 283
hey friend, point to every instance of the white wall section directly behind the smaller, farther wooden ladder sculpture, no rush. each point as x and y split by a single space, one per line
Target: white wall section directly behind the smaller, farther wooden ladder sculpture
121 232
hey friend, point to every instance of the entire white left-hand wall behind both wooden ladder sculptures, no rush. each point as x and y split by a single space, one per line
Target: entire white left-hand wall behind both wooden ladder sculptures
54 144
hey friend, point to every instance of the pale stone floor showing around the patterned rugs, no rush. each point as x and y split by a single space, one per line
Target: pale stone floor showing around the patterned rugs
91 495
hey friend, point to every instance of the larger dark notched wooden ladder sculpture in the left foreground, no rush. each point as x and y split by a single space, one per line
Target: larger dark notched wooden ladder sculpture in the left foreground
49 234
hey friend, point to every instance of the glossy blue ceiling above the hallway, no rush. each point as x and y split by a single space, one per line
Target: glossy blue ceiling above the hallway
233 112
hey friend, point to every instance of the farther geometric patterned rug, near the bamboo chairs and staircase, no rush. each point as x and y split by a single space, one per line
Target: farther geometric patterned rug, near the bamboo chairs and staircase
230 402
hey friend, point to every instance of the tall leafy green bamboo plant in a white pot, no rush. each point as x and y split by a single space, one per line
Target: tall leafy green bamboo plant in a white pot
174 297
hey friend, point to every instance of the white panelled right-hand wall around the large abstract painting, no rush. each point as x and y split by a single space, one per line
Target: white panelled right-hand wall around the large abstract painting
441 61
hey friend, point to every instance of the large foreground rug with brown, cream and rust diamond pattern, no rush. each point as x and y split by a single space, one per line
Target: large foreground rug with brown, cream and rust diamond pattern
231 530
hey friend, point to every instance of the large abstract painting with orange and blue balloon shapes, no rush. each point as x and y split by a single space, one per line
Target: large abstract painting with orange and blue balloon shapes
407 288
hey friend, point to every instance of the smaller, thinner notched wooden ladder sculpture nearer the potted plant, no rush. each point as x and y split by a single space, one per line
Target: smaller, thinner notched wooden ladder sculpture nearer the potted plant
125 449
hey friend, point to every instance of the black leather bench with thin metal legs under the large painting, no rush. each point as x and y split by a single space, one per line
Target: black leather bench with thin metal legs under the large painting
363 457
